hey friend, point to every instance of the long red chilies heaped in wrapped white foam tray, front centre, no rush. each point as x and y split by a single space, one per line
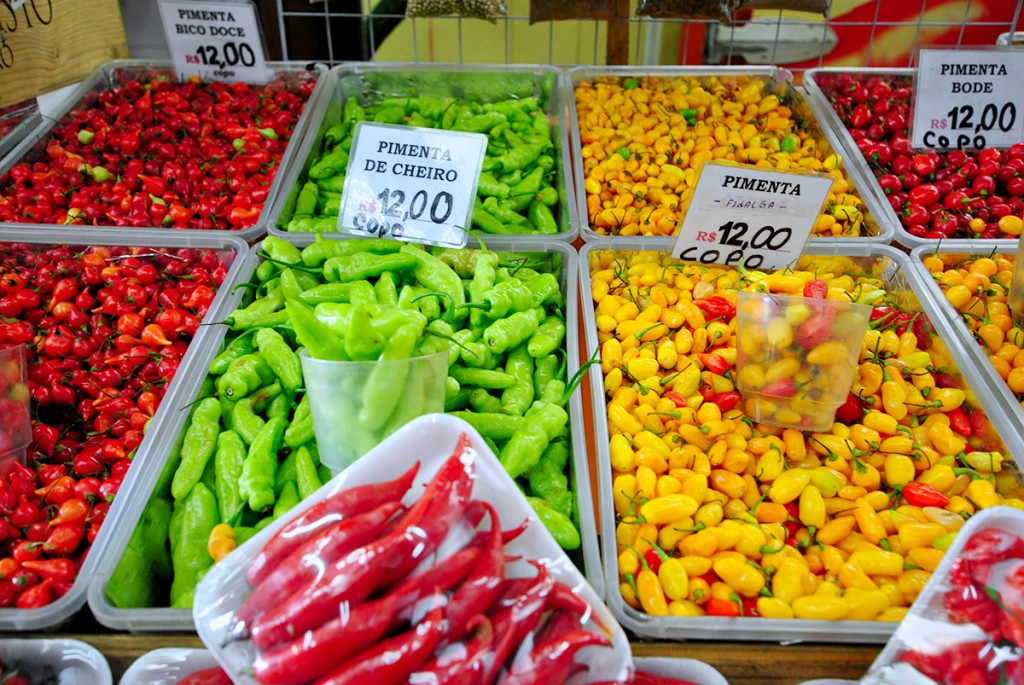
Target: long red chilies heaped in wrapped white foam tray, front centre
453 621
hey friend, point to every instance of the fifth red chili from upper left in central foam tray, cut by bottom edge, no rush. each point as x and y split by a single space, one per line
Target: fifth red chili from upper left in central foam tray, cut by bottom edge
393 661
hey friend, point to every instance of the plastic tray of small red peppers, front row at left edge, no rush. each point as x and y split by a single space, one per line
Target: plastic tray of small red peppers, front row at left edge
107 328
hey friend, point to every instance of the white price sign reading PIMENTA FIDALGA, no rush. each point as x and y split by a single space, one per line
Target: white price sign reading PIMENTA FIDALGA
743 213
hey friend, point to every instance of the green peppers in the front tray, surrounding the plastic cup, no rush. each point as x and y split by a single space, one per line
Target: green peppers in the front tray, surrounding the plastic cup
248 452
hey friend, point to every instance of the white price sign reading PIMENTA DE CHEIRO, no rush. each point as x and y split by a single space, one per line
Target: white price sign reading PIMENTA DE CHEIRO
412 184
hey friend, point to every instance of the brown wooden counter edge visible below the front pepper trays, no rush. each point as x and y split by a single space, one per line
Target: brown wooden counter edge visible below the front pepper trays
741 663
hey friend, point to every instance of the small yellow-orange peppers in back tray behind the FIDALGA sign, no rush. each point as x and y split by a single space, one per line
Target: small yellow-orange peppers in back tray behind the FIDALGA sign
645 140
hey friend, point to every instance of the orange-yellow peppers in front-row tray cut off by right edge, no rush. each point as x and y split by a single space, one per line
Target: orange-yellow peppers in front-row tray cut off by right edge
977 286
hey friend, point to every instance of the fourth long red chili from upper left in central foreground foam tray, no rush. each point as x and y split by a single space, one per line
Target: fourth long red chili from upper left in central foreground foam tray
312 655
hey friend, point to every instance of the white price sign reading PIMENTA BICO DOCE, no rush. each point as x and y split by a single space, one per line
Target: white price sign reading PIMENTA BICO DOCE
219 41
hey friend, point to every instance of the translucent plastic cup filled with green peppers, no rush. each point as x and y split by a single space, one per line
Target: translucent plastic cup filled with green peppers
356 405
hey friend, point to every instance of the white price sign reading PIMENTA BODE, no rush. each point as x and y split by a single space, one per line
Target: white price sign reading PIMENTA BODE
969 99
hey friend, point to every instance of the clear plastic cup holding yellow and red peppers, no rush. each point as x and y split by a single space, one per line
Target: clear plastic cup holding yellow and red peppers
797 357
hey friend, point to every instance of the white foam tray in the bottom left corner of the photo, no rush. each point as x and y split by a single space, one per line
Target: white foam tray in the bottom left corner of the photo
52 662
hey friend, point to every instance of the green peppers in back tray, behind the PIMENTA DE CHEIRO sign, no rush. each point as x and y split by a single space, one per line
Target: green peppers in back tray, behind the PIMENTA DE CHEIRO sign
517 193
